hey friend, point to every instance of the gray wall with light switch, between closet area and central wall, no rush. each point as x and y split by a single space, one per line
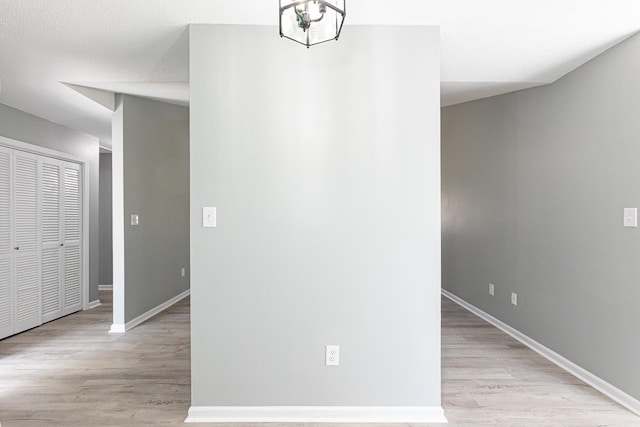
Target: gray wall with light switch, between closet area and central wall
155 138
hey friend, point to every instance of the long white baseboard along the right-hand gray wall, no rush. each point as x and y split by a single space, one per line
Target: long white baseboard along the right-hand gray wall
594 381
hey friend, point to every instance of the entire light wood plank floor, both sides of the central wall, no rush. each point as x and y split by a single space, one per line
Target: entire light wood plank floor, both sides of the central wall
70 372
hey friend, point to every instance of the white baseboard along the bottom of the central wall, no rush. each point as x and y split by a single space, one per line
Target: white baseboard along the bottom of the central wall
312 414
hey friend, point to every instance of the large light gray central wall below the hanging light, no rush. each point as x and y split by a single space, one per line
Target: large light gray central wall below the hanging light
324 166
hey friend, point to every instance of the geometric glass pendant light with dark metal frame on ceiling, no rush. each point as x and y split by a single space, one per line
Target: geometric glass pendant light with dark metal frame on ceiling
311 22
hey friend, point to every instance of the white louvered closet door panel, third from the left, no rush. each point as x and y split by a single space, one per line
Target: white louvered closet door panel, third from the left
51 210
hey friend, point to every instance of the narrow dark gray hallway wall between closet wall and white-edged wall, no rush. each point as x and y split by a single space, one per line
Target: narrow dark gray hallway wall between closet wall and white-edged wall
106 223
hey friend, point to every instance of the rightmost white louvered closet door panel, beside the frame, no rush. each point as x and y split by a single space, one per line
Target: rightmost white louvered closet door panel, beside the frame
72 237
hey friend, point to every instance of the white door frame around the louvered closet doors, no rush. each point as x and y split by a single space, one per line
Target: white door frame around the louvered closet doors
84 168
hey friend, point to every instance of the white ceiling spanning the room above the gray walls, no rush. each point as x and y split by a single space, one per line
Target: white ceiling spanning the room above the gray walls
141 46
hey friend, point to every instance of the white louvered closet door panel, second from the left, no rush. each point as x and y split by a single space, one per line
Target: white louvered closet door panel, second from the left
25 241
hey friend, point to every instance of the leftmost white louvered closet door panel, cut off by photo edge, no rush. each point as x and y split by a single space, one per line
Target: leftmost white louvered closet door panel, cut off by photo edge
6 294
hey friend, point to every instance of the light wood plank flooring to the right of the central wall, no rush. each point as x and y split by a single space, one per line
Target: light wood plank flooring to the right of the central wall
490 379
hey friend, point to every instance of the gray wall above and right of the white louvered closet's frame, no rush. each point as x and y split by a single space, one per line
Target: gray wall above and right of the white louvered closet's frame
21 126
